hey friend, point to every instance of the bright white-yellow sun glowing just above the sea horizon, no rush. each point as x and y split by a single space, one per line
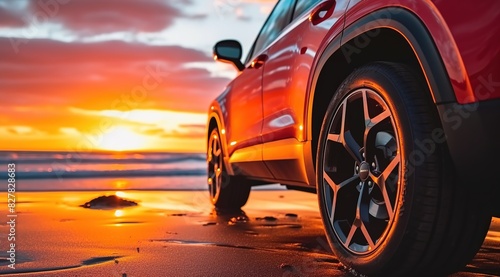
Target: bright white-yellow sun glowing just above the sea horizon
121 138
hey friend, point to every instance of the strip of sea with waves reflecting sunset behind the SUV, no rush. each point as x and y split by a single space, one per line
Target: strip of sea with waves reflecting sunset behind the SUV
68 171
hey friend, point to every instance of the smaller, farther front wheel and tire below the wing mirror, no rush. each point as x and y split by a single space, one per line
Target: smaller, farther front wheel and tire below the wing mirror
226 192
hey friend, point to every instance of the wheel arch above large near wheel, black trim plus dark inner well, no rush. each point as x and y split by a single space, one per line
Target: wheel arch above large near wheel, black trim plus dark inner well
402 38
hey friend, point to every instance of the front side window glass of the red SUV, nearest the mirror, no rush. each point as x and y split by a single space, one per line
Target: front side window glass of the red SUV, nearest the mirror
275 23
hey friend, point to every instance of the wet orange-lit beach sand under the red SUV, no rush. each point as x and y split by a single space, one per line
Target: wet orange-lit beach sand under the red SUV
177 233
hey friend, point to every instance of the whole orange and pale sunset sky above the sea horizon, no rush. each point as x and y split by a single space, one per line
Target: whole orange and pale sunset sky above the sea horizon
85 75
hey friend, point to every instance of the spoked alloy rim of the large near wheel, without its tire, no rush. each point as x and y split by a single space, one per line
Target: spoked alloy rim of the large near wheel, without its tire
361 170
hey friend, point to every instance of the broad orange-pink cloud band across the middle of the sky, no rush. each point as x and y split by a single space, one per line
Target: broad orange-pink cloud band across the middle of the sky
105 75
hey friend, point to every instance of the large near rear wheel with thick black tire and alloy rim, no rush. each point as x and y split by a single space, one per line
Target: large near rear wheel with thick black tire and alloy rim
389 205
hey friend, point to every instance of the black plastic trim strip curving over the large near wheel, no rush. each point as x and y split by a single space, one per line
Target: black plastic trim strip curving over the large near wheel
416 34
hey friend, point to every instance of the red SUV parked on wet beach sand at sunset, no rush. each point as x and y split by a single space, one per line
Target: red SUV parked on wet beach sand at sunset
389 110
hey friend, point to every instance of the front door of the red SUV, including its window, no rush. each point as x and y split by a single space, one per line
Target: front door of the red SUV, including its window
244 101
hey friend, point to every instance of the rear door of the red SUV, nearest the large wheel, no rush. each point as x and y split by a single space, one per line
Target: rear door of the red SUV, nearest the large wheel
285 81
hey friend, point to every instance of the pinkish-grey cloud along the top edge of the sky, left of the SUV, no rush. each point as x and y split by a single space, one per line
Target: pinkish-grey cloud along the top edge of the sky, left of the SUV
97 17
